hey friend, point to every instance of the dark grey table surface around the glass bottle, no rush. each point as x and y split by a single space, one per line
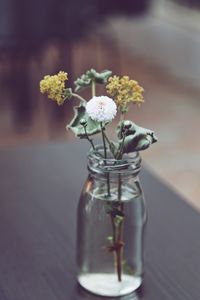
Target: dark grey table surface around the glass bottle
39 191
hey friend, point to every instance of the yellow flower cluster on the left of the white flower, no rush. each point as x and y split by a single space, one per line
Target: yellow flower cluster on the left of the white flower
54 86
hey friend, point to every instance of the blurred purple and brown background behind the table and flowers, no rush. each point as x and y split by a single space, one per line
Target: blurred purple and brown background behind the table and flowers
156 42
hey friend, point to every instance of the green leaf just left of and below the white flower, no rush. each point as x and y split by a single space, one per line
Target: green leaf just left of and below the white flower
92 127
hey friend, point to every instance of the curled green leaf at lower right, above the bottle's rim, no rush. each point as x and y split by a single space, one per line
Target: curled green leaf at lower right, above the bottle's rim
137 138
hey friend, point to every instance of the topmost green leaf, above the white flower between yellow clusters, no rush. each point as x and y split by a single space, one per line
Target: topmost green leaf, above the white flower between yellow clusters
92 75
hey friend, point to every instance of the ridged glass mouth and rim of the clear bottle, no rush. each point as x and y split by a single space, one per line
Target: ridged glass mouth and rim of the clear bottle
130 163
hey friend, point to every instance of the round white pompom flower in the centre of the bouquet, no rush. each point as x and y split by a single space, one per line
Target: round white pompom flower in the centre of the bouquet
101 109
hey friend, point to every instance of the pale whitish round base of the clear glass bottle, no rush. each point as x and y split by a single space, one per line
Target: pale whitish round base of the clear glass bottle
107 284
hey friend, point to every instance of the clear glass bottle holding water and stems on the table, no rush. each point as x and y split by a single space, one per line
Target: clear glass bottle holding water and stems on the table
111 220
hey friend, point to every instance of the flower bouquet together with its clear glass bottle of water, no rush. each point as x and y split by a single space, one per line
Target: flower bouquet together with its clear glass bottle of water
111 211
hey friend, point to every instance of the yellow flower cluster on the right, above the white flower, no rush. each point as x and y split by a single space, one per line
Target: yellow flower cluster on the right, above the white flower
124 91
